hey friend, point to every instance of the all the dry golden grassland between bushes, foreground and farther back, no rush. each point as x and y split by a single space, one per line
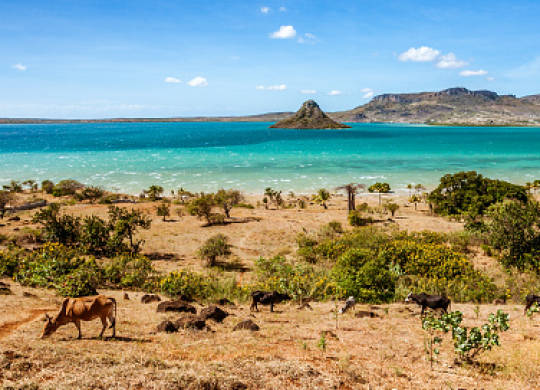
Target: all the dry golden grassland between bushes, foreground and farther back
381 352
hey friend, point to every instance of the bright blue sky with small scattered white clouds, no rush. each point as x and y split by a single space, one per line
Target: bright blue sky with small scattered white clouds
177 58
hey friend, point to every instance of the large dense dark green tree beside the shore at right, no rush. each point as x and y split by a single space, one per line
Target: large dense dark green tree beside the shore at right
470 192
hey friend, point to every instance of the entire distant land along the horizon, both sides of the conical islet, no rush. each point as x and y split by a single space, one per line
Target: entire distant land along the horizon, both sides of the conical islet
452 106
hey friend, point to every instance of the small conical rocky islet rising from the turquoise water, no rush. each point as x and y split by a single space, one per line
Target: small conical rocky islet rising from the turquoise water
310 116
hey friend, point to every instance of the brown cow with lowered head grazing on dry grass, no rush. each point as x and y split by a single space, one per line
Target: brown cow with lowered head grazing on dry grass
83 309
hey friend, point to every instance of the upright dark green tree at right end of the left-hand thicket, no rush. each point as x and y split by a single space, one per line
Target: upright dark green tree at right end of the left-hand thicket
124 224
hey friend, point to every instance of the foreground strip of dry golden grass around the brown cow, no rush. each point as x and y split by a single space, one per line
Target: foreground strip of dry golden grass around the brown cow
386 352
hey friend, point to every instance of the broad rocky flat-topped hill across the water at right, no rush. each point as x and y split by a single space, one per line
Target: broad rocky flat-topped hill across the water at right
455 106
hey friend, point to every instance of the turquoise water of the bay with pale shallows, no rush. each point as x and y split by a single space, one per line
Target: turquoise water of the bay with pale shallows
251 157
